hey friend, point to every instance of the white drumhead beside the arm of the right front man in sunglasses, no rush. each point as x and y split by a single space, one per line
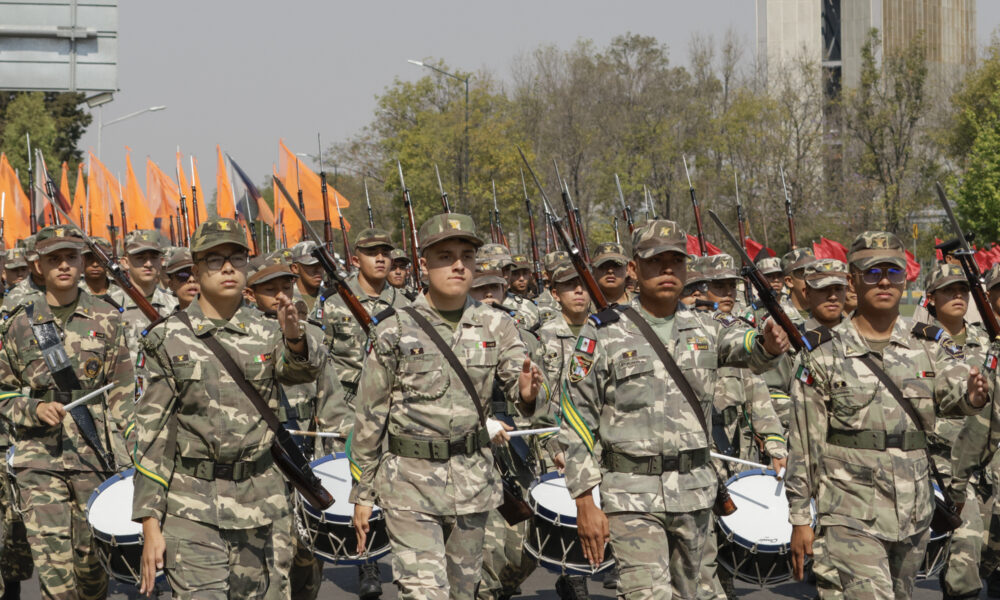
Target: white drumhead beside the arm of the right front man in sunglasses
761 510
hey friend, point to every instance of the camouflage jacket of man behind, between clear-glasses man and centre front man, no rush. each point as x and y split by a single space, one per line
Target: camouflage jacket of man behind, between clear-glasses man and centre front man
344 335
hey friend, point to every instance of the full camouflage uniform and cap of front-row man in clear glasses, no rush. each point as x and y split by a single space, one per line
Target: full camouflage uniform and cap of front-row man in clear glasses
202 452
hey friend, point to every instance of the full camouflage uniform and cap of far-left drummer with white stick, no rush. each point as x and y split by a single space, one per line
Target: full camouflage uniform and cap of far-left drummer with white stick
56 468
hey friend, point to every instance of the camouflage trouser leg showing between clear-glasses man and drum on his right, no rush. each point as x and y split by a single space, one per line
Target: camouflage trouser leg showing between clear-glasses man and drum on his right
296 573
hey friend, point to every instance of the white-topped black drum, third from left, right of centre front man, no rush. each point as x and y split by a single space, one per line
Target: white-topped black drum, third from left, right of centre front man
553 539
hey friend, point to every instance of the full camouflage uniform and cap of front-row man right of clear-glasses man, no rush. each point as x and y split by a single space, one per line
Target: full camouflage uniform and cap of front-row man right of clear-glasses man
436 509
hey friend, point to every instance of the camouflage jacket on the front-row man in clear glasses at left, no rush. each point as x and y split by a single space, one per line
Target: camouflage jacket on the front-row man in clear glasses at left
190 408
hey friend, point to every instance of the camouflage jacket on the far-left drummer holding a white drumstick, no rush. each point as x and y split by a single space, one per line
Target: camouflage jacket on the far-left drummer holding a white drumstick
92 337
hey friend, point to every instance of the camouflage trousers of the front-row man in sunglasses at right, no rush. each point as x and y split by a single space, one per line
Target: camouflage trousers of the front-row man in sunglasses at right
874 569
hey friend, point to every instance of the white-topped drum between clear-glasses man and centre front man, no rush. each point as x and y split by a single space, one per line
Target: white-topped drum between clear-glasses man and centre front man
330 533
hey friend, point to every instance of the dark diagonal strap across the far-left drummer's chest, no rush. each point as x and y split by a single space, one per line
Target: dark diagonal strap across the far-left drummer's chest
49 341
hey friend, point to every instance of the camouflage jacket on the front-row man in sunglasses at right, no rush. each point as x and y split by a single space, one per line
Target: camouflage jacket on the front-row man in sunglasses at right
883 493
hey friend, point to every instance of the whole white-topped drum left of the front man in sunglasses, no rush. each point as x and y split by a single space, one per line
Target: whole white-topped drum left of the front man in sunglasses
754 541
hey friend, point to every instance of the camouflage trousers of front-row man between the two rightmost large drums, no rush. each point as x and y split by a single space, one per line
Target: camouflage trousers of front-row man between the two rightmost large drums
659 554
